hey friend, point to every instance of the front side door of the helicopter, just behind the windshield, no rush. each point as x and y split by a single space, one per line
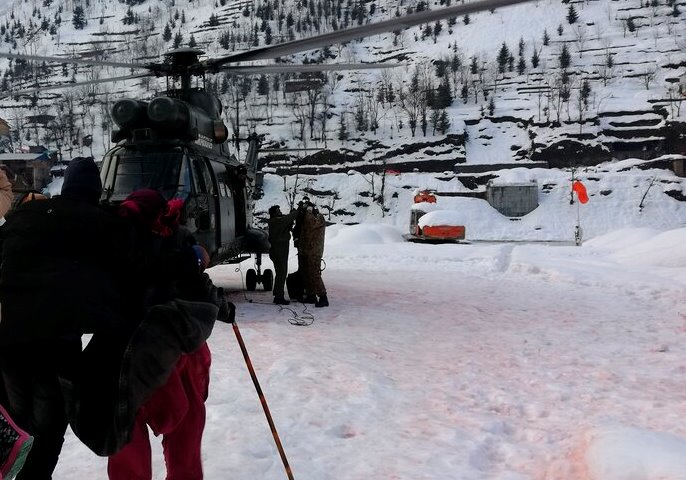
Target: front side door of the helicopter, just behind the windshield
205 205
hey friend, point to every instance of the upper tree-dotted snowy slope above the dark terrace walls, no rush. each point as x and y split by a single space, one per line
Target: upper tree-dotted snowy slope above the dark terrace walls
498 78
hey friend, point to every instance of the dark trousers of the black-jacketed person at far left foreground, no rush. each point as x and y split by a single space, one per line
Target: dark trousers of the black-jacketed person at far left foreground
30 374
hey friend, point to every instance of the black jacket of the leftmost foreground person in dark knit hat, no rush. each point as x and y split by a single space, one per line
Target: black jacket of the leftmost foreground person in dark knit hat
64 271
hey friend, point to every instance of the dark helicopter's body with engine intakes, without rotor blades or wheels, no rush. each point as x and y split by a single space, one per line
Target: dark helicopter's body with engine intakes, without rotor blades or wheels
175 147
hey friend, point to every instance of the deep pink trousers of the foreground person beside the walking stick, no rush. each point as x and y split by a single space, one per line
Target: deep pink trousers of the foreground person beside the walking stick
177 412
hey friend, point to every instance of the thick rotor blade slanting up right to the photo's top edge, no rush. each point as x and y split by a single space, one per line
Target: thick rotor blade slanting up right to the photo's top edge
341 36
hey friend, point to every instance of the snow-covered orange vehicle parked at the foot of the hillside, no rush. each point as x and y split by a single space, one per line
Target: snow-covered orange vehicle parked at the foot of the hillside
428 223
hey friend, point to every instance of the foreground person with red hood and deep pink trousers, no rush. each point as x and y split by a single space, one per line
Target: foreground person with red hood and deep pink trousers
176 410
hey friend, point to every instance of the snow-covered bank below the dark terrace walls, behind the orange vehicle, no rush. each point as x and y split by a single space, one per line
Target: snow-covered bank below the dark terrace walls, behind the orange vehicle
621 195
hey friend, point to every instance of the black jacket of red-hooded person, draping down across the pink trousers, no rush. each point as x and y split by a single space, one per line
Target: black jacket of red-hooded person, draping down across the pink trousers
120 372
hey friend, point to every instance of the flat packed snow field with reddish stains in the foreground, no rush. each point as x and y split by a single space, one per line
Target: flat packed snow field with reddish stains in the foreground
445 362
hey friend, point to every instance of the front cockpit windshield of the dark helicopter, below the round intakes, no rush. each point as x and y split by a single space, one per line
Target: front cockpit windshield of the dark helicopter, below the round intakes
128 170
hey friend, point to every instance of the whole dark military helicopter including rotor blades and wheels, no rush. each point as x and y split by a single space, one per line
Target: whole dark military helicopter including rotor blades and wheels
178 144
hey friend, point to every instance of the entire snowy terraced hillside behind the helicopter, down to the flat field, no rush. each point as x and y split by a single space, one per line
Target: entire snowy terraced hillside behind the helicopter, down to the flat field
559 84
